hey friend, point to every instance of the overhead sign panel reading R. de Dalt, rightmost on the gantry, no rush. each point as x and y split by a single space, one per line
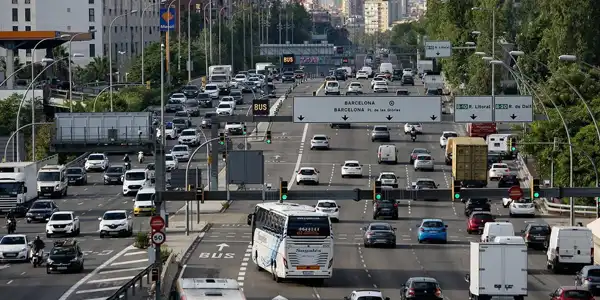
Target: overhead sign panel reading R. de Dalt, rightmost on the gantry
513 109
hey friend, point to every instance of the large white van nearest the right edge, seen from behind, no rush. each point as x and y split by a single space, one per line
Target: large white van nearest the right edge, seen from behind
569 247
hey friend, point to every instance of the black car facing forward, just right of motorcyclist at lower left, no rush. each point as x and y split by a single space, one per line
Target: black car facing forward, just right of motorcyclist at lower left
65 256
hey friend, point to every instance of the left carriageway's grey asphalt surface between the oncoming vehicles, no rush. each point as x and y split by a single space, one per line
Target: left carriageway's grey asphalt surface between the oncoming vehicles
109 263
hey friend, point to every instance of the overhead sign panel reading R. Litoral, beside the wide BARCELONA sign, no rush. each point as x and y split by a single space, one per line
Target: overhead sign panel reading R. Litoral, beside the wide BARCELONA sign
473 109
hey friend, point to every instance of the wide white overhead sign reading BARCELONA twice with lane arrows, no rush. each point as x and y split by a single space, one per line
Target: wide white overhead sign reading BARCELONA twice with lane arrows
367 109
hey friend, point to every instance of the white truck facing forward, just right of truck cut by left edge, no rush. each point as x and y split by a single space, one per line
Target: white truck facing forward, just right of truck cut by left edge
52 181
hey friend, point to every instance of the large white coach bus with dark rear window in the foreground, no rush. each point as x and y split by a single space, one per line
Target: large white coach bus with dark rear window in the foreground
290 240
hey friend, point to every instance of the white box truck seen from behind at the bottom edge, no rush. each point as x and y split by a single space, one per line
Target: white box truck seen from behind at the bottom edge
497 269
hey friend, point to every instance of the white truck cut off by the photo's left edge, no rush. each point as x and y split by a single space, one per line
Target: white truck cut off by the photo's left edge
18 184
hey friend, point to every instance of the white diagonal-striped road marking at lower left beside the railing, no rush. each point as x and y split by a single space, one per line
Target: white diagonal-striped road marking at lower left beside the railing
110 277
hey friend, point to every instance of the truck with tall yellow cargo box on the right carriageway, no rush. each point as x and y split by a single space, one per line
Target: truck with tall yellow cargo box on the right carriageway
469 161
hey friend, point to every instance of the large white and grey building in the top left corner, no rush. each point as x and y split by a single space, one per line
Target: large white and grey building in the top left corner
82 16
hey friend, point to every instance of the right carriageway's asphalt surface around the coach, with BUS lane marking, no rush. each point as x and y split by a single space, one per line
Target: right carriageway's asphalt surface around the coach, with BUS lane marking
224 249
